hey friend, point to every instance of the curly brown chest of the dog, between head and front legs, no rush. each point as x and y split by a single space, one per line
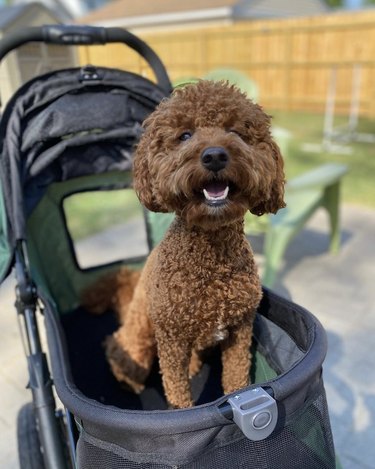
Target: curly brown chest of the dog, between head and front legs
204 289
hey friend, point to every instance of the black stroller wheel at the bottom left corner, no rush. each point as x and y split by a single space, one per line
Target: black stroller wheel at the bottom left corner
29 449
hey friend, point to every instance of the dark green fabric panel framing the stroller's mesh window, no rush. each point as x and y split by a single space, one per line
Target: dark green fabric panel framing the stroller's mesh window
52 259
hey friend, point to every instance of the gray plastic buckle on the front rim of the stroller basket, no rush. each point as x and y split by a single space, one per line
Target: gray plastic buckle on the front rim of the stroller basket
255 412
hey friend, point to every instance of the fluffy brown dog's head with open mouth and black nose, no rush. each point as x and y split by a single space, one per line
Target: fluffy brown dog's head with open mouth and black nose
207 154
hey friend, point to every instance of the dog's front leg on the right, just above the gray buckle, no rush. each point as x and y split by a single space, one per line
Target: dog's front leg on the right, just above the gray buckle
236 358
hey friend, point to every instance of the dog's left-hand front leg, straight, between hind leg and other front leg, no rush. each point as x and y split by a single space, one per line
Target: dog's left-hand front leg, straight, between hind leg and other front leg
174 360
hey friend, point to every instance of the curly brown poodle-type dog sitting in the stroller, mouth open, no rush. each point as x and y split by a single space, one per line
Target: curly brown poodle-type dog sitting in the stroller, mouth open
208 156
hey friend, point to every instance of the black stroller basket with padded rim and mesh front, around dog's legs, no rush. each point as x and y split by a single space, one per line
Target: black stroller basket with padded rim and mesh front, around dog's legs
120 430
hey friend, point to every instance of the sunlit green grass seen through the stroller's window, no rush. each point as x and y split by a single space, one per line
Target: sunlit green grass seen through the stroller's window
88 213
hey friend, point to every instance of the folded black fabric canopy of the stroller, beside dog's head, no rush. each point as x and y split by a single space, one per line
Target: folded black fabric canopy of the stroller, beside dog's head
64 125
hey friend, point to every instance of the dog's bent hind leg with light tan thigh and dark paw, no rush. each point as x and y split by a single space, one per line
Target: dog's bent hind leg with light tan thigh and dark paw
132 348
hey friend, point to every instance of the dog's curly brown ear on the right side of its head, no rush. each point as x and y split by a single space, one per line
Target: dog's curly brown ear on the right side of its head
276 198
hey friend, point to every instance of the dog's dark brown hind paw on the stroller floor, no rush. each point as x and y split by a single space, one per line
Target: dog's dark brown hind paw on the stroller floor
125 369
